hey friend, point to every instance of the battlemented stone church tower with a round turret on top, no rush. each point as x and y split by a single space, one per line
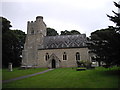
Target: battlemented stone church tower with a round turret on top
36 31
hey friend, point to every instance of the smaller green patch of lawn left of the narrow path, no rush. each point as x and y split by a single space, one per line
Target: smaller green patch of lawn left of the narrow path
17 72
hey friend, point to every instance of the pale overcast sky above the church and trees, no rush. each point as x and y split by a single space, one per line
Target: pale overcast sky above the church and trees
85 16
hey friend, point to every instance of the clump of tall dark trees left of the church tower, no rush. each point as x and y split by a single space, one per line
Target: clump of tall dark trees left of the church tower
12 44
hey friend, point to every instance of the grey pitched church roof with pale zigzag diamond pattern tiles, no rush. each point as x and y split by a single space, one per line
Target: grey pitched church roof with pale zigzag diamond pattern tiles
64 41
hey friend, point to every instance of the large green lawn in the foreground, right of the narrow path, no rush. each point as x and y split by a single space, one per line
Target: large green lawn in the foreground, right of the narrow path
70 78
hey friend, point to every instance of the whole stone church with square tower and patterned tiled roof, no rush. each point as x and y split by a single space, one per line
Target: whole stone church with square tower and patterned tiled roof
52 51
